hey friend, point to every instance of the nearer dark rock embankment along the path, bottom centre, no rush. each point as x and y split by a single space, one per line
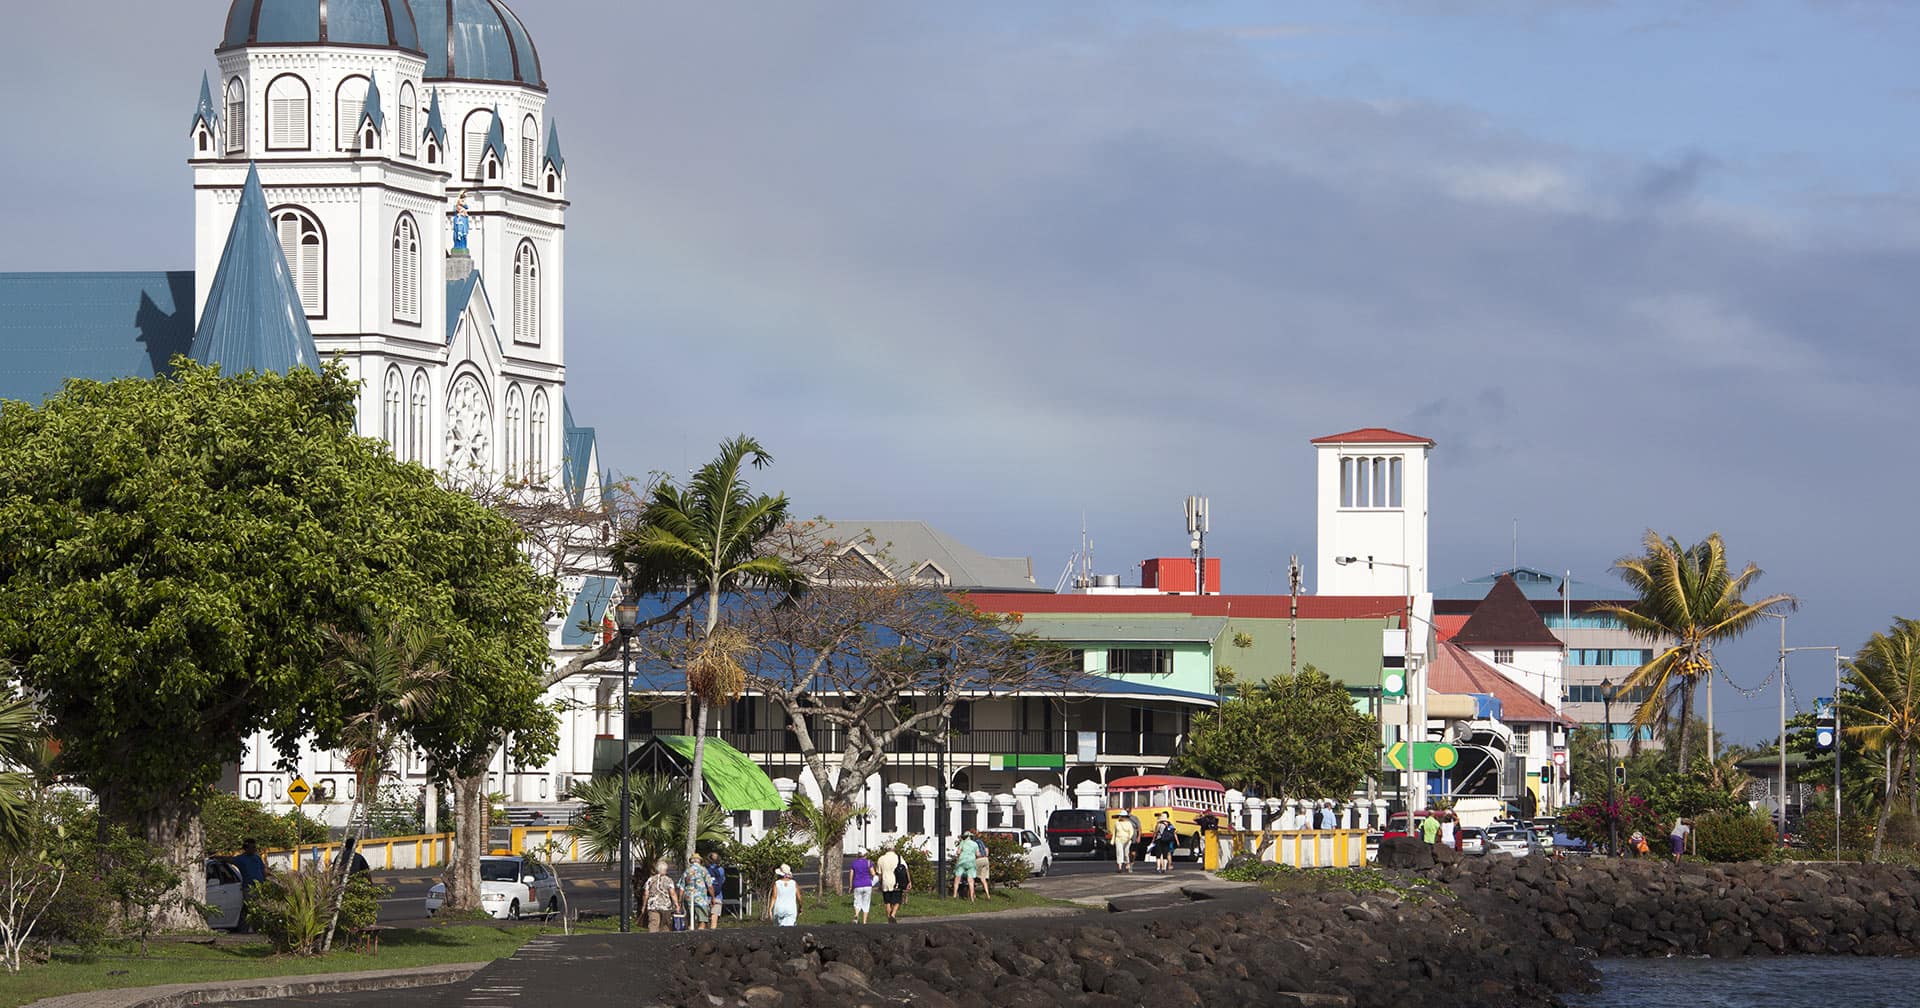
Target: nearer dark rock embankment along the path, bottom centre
1251 948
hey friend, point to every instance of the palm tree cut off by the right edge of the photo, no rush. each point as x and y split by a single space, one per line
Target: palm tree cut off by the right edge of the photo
1884 709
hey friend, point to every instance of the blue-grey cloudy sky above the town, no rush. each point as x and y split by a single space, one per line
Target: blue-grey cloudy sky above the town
1009 268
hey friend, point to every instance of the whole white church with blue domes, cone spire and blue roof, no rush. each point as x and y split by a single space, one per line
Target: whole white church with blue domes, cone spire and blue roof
400 160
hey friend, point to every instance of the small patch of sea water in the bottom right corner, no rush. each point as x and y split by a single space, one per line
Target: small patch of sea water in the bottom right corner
1785 982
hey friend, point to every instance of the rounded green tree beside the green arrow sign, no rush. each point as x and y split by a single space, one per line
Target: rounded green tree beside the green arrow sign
1293 736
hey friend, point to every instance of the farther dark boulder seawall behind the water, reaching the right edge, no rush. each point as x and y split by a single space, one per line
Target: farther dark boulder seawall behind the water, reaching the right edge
1656 909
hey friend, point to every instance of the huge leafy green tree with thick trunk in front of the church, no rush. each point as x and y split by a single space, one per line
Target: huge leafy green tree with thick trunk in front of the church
187 535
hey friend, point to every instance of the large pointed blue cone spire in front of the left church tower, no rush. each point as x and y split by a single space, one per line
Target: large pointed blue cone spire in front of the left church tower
254 320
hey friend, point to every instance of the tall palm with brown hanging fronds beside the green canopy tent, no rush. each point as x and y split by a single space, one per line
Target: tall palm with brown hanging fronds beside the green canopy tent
709 539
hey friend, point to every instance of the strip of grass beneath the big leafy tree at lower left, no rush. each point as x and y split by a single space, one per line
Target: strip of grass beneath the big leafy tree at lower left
185 963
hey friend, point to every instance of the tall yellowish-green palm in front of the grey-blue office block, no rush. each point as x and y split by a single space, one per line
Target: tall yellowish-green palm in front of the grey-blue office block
1689 602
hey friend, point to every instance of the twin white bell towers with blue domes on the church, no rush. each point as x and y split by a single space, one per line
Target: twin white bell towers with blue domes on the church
373 124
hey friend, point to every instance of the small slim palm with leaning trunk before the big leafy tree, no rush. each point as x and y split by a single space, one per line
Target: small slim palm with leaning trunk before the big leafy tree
389 677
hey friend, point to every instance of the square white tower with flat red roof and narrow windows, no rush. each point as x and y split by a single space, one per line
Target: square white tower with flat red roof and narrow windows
1372 502
